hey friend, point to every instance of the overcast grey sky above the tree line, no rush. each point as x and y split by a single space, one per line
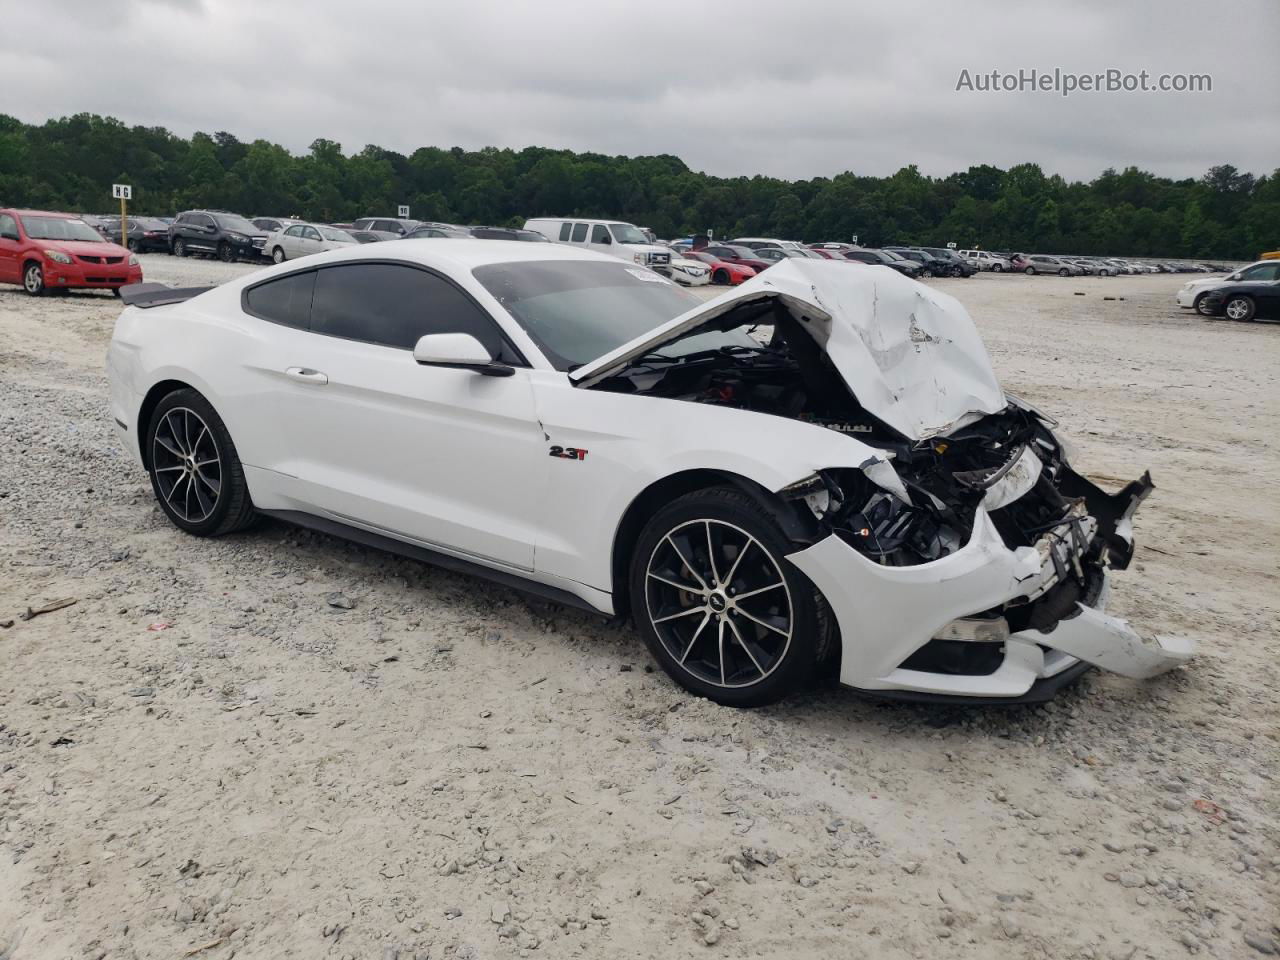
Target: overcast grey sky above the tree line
734 88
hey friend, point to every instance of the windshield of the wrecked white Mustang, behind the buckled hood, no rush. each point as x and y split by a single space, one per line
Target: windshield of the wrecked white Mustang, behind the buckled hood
579 310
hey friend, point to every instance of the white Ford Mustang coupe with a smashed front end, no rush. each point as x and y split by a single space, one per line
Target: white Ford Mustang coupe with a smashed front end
817 470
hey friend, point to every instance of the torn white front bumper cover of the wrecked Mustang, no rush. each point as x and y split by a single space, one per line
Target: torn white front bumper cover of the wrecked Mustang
989 623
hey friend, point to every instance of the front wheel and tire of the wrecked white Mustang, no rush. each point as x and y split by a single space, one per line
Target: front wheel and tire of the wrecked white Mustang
717 604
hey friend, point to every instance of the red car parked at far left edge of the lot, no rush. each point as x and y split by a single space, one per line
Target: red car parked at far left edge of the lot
45 252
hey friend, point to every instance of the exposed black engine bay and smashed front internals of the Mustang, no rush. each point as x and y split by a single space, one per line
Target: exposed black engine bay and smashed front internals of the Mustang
1011 463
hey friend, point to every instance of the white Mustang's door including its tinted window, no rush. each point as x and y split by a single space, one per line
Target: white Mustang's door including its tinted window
445 458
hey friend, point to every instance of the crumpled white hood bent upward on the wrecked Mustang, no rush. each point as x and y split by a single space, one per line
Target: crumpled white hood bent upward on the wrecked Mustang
909 354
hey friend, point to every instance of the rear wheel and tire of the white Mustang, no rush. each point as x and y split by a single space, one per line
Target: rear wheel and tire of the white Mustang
196 474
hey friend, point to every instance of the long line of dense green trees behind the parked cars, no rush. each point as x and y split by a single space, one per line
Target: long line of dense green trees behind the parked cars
70 164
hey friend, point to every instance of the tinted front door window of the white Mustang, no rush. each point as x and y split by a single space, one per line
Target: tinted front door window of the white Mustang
394 305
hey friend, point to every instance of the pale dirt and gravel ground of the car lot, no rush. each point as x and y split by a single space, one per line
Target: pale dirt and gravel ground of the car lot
205 757
